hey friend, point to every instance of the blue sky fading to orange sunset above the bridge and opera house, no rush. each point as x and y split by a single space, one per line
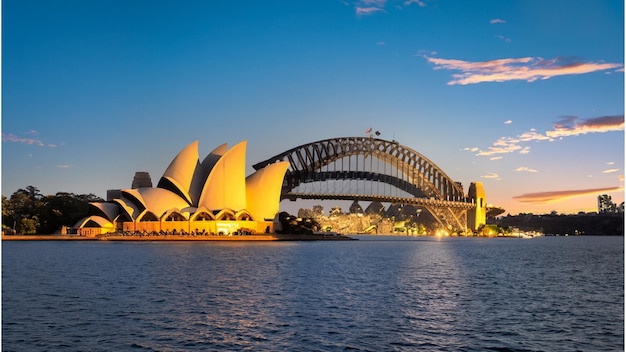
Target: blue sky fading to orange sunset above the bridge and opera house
526 97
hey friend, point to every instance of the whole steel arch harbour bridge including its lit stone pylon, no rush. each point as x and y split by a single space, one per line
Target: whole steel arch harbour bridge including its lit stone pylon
372 169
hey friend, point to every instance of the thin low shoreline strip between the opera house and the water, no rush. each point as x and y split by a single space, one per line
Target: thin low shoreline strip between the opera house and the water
267 237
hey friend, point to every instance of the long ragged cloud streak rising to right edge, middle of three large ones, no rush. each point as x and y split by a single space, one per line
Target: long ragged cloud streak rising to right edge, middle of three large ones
567 127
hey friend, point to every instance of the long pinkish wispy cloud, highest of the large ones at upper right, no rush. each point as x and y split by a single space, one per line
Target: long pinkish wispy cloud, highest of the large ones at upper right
527 69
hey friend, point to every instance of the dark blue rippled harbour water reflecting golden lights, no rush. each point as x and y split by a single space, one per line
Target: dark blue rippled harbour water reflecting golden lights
376 294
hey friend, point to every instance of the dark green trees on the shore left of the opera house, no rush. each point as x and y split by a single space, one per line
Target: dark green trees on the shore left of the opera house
27 211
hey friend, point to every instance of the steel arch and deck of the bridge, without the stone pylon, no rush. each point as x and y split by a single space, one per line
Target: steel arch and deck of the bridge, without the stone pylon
415 174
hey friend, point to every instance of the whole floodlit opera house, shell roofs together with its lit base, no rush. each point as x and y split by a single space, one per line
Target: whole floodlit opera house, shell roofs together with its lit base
211 197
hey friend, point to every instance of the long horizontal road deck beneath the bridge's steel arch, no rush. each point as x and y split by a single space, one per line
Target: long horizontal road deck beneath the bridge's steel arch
428 202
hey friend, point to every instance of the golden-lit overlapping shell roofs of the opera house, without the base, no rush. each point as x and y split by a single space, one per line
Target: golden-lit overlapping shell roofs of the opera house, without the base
217 184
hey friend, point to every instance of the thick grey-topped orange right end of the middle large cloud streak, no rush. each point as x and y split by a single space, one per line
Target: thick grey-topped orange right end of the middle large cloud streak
573 126
